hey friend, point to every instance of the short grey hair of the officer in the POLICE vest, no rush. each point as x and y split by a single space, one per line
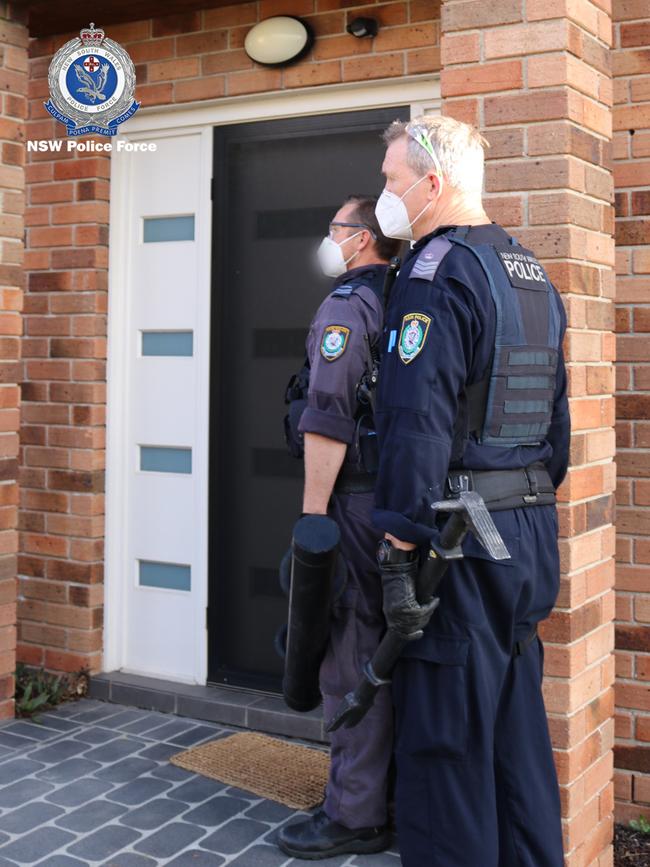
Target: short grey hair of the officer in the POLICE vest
459 149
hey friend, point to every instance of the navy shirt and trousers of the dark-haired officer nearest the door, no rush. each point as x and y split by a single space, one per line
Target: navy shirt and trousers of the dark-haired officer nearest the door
341 354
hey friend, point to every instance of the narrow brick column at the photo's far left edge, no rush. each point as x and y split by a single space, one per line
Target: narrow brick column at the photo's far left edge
13 87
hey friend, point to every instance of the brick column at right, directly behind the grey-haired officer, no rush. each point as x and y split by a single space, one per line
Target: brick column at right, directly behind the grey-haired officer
534 75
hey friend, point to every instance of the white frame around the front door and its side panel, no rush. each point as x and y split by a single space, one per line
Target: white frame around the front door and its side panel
421 93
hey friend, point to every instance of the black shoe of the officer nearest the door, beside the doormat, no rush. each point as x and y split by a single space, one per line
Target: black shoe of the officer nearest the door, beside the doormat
319 837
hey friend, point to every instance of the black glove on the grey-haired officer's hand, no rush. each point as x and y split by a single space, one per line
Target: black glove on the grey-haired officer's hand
402 610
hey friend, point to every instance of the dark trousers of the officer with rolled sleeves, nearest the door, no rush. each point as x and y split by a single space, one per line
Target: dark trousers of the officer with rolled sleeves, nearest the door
356 789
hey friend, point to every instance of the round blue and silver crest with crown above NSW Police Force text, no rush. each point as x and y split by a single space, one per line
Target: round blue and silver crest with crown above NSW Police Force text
92 82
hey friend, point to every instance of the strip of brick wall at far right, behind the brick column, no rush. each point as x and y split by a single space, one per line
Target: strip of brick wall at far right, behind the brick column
631 62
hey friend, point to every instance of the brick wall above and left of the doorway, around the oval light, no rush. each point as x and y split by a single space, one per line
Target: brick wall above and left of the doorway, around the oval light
179 58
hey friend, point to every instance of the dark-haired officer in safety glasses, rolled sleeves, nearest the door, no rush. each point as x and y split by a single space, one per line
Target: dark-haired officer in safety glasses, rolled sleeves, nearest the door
340 465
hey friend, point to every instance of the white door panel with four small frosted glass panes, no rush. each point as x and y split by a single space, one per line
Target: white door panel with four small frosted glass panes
158 406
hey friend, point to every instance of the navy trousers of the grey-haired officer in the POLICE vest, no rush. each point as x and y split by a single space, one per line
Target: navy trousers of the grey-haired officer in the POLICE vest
476 782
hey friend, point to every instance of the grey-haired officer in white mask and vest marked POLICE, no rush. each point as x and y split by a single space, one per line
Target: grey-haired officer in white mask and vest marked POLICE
472 396
